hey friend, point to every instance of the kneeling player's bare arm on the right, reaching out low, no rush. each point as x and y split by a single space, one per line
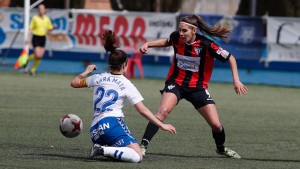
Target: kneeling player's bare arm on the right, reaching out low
145 112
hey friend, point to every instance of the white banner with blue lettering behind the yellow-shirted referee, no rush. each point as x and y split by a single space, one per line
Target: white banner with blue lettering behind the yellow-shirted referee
12 28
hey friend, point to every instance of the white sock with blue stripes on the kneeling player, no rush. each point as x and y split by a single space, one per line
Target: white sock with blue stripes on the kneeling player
122 153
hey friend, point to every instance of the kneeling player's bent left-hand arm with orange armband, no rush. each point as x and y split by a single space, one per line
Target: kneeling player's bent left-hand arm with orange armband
79 81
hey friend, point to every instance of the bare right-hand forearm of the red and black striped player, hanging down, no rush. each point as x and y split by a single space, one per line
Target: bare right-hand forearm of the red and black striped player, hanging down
239 87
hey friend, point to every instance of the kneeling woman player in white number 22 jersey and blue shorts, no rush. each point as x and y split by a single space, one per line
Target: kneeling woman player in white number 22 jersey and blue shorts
109 133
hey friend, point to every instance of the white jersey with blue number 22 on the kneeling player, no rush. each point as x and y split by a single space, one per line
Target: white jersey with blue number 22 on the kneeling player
110 93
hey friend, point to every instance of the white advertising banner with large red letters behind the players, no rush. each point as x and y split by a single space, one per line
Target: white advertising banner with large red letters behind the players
132 28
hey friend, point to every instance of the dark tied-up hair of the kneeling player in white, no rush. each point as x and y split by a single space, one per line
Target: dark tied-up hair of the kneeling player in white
117 57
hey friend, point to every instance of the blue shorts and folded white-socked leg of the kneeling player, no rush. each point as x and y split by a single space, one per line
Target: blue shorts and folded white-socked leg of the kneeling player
113 132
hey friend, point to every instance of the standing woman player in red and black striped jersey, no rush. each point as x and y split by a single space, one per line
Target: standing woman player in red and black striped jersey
188 76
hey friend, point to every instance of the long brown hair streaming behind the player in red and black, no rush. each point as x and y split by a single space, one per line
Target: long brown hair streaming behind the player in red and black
217 30
